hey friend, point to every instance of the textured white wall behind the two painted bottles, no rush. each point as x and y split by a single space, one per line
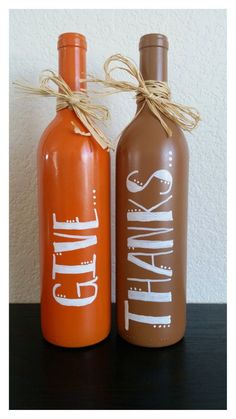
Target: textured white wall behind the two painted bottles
197 77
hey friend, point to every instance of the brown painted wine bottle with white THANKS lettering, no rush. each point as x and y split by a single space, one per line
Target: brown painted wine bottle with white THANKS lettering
151 219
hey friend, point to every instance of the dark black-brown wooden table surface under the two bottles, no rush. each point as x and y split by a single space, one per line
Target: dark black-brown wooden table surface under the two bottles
115 374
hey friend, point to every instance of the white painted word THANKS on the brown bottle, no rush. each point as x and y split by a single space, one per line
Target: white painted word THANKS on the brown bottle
146 238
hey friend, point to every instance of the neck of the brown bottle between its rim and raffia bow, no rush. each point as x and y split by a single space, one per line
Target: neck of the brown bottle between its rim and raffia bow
153 63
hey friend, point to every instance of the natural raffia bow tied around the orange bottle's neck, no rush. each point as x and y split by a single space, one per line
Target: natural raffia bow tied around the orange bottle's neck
85 110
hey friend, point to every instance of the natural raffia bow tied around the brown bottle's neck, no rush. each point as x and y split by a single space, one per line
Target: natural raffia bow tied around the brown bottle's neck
155 94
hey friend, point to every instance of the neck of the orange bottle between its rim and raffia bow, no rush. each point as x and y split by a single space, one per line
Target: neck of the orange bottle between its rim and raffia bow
72 66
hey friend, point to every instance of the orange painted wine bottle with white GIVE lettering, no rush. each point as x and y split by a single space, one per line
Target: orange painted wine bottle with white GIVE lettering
74 219
